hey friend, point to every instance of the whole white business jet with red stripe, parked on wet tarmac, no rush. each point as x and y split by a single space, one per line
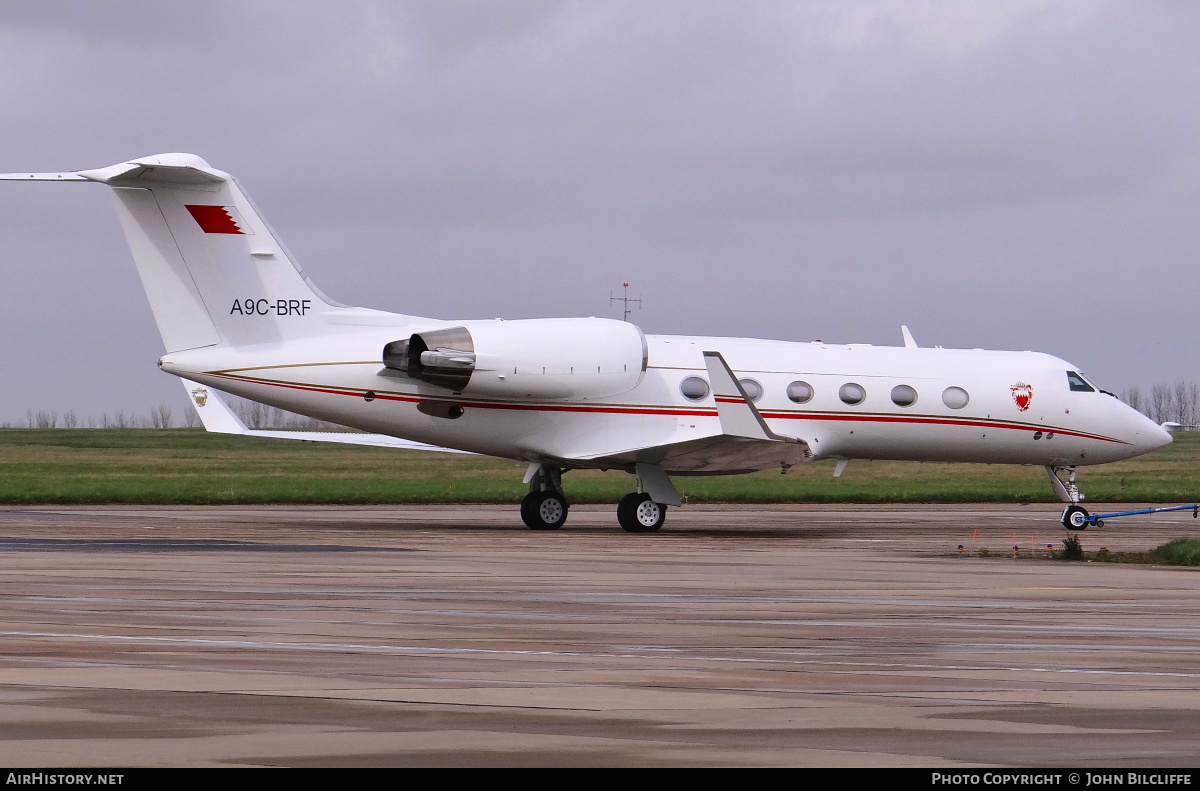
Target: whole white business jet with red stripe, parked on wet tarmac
237 314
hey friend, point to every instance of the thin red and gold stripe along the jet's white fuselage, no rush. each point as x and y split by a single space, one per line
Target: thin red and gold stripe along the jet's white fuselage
699 412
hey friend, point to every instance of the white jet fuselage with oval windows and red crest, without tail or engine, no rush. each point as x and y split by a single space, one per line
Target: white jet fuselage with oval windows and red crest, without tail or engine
1019 408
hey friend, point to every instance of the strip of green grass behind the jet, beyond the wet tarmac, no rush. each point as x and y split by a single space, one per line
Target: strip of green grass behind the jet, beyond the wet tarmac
193 468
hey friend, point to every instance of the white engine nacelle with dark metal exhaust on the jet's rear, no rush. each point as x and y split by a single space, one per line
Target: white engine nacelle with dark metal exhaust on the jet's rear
537 358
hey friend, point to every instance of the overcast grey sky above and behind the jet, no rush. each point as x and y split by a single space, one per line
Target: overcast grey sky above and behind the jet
1004 175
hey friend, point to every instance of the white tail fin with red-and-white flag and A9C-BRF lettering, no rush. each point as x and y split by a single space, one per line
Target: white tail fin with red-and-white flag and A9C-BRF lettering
212 267
